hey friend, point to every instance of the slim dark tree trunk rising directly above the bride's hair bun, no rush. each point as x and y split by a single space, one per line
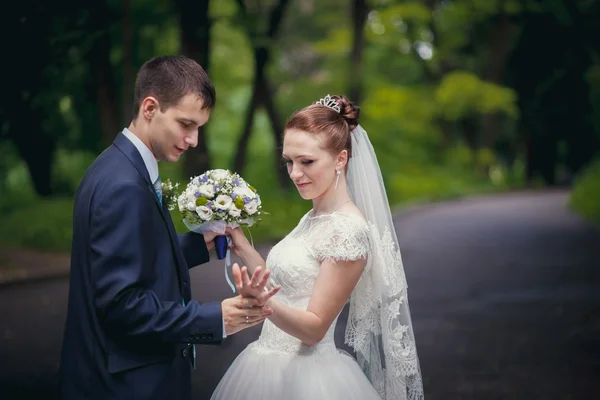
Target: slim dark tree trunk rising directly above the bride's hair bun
359 18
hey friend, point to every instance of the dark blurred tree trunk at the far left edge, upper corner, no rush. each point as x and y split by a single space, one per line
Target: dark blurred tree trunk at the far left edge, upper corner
22 113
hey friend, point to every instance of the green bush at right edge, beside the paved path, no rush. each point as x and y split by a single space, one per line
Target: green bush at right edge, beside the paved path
585 196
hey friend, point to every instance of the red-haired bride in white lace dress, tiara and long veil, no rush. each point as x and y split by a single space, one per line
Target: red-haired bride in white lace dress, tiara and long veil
344 249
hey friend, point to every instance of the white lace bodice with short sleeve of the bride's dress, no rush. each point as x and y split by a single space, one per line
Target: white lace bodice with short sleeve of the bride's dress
295 262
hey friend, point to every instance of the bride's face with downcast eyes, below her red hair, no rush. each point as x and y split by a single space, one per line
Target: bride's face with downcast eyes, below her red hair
310 166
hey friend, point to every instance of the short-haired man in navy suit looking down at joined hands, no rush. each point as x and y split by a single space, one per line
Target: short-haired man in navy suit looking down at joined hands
132 325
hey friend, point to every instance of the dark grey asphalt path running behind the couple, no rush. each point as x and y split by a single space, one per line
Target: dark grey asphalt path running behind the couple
504 291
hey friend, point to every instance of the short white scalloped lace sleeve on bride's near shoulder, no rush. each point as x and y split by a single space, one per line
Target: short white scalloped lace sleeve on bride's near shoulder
343 238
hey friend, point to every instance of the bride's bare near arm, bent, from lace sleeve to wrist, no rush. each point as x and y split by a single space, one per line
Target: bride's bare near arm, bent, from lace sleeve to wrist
333 287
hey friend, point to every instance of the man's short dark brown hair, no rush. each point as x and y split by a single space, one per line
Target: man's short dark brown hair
169 79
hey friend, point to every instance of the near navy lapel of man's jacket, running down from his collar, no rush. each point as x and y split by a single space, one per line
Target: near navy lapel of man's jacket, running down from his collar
131 152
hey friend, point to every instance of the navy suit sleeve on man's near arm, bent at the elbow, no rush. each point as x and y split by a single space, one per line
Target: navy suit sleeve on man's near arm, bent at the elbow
121 229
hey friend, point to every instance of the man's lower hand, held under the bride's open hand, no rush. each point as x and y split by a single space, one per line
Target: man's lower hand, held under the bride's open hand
240 313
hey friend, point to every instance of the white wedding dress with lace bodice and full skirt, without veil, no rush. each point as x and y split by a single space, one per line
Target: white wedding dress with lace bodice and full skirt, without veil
279 366
